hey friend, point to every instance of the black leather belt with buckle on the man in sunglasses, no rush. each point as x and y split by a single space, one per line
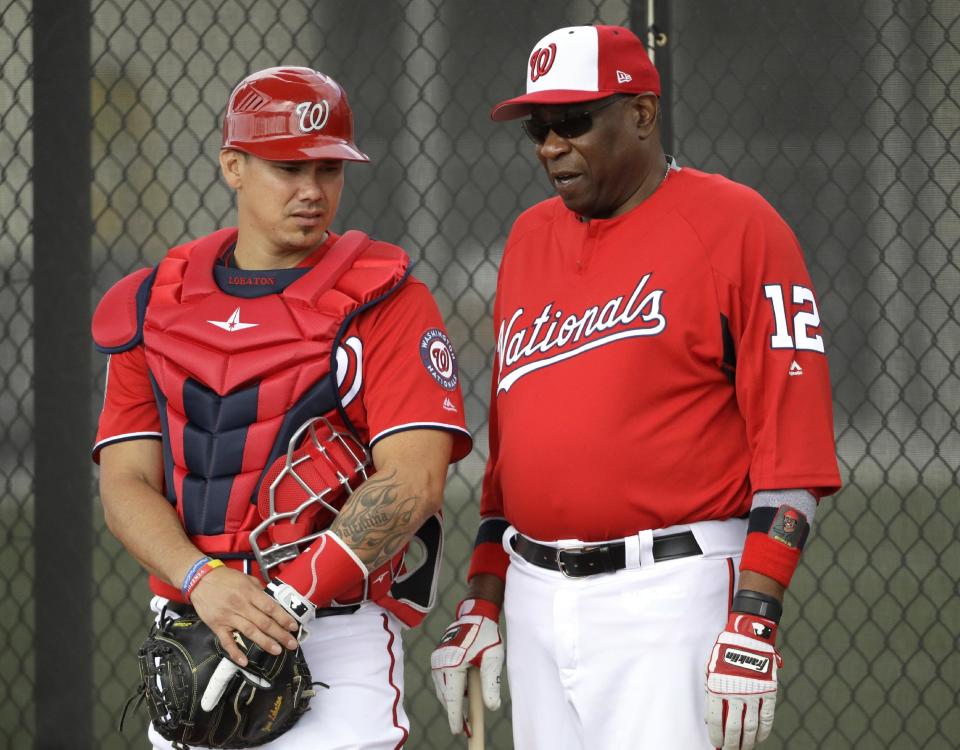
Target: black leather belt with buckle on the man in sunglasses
601 558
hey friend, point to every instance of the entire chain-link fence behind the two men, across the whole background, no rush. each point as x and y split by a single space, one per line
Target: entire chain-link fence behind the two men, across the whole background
845 115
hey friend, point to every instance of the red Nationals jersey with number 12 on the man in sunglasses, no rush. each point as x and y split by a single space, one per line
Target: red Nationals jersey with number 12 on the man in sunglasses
656 368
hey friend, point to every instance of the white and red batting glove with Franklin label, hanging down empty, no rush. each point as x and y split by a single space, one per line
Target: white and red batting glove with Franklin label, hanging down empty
742 683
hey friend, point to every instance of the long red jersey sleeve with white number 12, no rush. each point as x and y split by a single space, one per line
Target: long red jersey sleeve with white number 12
782 377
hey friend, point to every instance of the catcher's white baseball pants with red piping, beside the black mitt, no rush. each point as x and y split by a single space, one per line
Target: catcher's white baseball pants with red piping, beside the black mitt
360 656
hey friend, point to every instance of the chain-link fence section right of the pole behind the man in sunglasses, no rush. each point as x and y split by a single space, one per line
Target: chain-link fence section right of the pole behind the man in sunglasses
846 116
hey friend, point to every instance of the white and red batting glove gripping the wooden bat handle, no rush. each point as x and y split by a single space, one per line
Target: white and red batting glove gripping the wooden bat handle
473 639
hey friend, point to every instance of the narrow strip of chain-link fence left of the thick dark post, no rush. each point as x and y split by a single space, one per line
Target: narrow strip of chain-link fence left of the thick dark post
16 370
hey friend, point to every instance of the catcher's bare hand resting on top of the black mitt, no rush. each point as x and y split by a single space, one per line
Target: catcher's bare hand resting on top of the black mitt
229 601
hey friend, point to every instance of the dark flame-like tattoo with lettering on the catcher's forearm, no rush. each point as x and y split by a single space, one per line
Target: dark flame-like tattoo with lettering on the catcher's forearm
378 519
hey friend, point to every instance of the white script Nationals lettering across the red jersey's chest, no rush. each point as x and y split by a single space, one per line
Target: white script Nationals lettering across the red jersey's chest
520 348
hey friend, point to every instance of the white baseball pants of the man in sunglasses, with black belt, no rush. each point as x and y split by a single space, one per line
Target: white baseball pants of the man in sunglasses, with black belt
617 661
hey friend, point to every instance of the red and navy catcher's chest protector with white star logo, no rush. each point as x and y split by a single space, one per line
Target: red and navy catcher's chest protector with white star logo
234 377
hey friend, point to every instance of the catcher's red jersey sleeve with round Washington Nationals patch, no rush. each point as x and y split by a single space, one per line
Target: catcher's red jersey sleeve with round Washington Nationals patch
410 375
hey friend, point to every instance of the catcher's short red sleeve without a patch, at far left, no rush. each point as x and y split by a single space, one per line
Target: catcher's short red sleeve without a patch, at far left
129 408
